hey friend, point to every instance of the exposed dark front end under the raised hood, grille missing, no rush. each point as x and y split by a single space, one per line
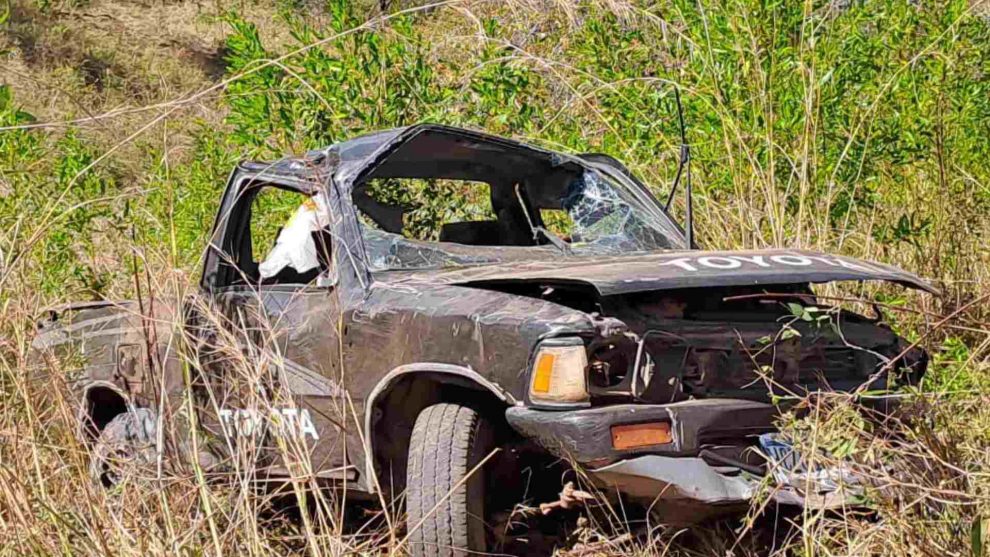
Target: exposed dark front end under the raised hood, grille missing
697 343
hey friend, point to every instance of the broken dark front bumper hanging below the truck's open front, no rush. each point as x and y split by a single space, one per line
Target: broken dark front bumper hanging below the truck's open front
673 478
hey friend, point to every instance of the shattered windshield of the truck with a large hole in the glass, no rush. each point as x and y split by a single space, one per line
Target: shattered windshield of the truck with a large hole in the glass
434 223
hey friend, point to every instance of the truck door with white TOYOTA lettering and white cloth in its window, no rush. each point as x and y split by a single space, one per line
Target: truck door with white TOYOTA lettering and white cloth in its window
274 365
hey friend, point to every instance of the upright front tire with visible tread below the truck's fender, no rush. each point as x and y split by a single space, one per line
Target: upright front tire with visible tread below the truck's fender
448 441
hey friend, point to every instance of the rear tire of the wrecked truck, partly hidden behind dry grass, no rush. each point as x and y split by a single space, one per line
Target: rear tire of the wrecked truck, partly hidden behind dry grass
126 446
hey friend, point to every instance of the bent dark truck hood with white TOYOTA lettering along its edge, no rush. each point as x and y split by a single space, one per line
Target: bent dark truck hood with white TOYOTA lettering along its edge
678 269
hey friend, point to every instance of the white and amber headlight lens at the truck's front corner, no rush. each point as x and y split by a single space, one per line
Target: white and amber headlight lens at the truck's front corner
558 375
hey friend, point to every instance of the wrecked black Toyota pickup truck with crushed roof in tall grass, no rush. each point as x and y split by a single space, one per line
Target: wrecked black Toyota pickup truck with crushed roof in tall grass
438 294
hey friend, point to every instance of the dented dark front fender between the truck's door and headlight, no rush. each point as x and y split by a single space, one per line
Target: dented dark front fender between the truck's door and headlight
489 332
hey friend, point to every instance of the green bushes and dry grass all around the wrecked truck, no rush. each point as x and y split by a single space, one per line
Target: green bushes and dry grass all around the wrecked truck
855 127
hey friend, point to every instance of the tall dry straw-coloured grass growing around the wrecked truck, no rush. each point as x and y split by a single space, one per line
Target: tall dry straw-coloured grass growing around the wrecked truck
929 470
